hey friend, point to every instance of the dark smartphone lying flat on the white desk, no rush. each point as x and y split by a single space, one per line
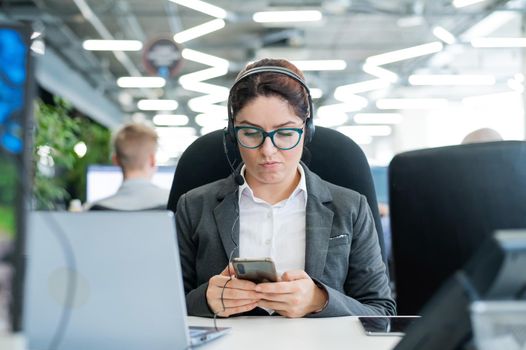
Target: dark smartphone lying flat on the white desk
386 325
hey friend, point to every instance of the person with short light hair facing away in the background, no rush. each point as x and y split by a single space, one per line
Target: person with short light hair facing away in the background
134 147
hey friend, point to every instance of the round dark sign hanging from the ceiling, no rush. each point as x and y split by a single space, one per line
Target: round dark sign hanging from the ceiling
162 58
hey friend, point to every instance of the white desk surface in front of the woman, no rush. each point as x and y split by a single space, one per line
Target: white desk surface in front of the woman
301 334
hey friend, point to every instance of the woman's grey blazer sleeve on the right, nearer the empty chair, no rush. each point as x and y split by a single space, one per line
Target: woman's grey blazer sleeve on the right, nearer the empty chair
366 287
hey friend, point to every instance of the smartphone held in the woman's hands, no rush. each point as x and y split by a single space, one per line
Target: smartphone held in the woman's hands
257 270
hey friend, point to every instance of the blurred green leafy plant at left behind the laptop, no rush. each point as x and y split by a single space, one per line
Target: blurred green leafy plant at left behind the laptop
57 166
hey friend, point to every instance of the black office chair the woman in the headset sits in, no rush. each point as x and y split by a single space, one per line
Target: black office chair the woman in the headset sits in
333 156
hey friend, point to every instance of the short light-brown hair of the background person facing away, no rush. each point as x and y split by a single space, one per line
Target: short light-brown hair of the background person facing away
133 143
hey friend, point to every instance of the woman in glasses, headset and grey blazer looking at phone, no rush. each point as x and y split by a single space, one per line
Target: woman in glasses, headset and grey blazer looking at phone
321 236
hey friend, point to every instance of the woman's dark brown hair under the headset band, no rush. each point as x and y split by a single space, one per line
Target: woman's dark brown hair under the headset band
270 84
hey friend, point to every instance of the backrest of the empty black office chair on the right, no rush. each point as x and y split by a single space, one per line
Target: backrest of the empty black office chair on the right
444 202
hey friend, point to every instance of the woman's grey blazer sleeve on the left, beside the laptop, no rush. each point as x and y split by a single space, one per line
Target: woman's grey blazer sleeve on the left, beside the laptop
196 303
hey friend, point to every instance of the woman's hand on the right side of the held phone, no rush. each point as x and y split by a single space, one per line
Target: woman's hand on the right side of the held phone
294 296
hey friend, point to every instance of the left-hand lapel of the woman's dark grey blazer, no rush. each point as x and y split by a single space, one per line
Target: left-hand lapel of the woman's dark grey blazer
226 215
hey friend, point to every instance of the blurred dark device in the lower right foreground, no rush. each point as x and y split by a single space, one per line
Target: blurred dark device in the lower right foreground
495 272
